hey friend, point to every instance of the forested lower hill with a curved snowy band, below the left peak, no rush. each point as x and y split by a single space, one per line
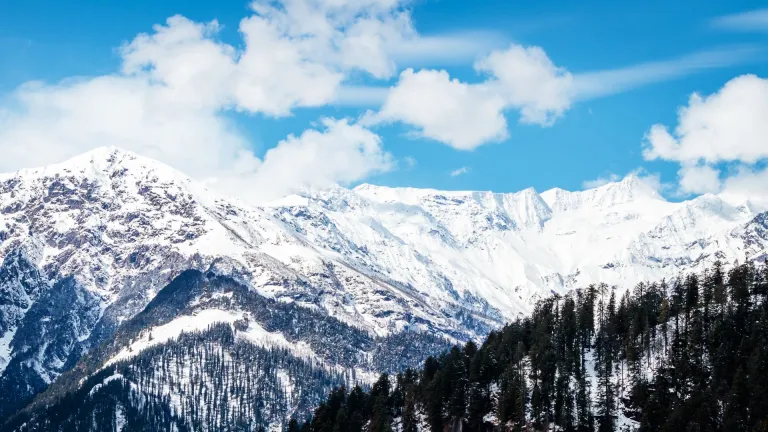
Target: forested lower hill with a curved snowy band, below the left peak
227 372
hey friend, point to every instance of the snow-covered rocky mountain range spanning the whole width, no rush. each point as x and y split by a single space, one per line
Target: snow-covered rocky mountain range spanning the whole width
87 244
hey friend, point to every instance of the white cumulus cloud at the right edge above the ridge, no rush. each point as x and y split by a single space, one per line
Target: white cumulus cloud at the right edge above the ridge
727 127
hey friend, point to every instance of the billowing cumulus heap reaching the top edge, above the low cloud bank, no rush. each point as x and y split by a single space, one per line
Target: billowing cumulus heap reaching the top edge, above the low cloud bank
296 53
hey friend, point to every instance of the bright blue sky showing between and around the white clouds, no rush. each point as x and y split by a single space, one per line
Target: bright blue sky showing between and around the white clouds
594 137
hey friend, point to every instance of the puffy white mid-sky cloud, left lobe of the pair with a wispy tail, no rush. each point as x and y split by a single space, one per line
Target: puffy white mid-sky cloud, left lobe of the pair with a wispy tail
461 115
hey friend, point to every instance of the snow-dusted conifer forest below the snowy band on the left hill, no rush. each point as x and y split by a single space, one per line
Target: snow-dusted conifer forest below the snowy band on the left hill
218 383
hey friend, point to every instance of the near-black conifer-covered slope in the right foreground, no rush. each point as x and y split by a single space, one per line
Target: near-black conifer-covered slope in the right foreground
689 355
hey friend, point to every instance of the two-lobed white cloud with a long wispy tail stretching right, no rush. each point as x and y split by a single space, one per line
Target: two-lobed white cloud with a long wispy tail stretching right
467 115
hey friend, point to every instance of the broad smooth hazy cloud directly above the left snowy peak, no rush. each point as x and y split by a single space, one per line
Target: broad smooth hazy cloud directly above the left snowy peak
43 124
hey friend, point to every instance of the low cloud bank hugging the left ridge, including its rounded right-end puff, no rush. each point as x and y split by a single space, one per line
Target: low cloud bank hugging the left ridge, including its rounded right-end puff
60 122
